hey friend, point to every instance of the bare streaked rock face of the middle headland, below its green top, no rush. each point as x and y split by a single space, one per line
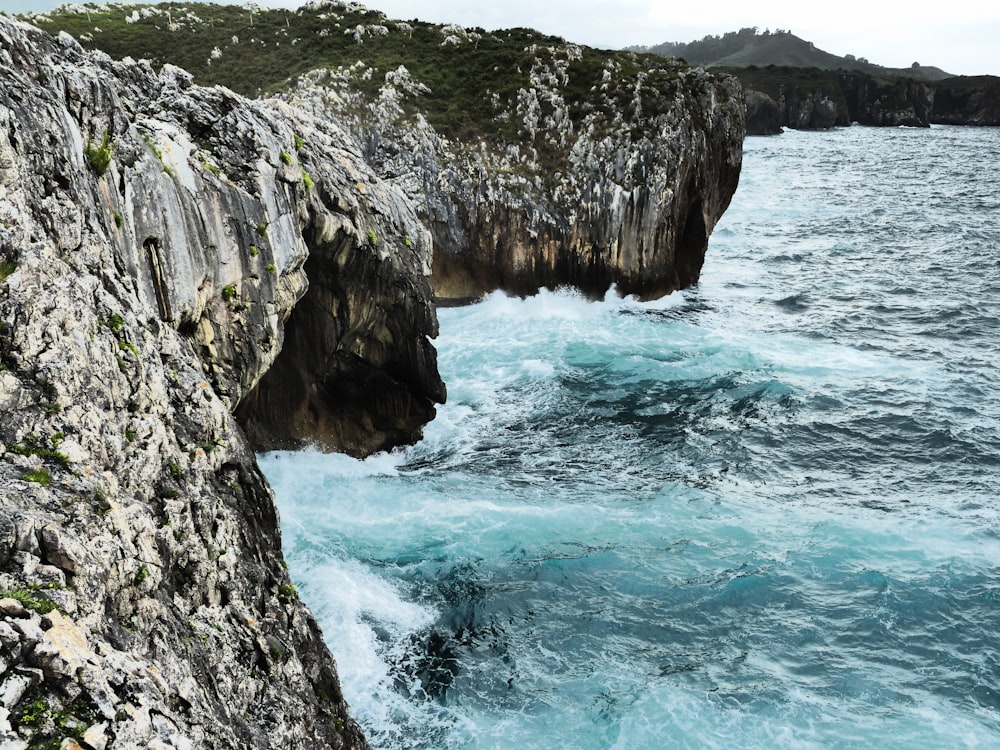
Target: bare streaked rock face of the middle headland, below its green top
623 192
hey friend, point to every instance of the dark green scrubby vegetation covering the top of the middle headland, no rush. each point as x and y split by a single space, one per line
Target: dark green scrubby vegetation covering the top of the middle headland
260 51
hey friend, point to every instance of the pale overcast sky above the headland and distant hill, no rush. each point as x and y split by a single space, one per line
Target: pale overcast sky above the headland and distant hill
960 36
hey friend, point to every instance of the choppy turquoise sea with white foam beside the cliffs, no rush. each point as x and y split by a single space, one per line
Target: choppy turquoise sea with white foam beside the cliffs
763 512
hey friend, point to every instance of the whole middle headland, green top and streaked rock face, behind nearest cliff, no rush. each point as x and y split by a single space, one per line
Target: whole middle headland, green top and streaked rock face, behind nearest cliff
534 162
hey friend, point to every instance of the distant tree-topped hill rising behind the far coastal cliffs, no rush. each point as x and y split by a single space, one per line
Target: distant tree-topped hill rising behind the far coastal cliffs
749 46
